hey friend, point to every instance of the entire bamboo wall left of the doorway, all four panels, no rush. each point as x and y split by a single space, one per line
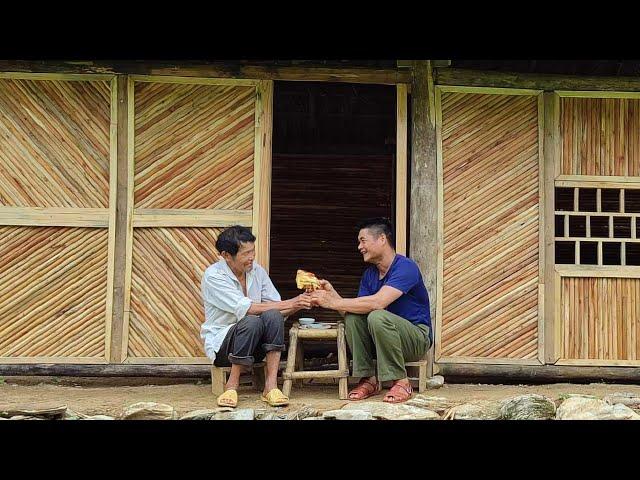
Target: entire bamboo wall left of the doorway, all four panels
196 156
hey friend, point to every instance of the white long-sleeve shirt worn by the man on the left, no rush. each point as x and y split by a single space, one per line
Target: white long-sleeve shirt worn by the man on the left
225 302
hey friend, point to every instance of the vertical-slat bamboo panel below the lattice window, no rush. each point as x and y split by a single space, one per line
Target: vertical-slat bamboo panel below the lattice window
600 318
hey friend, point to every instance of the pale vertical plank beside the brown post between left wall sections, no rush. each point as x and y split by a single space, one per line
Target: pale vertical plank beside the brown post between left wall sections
129 216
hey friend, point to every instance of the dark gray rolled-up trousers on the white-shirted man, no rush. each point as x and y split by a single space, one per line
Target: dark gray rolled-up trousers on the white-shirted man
250 339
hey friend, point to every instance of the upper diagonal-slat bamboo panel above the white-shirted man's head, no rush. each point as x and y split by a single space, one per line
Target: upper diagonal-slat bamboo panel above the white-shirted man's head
194 146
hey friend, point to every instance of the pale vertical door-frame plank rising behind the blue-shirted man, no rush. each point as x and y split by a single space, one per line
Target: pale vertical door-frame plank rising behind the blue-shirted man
401 169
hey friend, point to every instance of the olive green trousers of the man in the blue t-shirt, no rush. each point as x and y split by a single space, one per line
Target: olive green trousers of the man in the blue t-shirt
390 339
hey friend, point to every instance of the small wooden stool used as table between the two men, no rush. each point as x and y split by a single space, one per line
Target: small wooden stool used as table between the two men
294 369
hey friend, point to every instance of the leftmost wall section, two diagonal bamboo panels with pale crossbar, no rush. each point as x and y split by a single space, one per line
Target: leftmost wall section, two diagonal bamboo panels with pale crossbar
55 173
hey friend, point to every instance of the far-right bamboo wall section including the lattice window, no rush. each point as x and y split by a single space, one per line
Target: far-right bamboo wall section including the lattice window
597 311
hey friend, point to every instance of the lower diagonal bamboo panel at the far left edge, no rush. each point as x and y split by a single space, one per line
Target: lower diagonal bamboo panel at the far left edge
53 285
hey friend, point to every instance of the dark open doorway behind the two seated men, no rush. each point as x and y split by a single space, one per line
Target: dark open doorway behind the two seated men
333 165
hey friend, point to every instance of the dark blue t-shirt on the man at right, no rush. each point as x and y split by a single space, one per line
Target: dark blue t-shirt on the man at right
404 275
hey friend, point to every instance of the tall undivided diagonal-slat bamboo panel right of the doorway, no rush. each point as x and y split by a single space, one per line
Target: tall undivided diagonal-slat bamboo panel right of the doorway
490 277
